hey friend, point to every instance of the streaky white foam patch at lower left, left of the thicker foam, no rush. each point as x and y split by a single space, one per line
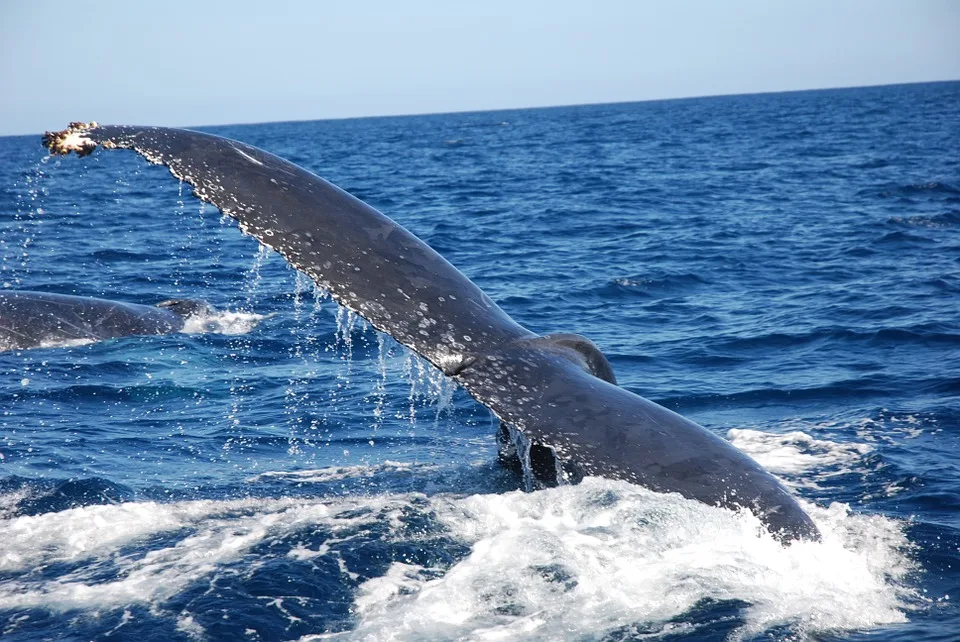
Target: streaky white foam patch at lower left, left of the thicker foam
208 535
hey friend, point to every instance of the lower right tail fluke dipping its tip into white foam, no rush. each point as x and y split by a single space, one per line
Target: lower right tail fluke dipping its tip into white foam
611 432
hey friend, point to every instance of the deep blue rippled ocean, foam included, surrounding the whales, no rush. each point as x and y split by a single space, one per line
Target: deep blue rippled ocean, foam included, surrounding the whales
783 269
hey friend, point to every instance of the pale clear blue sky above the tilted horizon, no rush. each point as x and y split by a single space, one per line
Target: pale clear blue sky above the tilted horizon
199 62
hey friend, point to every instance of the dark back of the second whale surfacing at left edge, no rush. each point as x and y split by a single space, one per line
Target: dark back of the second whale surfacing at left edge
41 319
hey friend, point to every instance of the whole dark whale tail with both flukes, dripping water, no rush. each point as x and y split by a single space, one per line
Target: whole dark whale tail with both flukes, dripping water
556 391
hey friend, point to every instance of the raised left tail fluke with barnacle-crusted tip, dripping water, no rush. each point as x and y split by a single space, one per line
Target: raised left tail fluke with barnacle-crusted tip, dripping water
367 262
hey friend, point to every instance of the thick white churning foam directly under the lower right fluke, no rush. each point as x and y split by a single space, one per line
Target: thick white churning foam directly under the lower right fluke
576 561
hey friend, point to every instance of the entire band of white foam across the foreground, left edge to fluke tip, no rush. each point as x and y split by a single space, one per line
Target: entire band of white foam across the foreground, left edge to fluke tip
571 562
